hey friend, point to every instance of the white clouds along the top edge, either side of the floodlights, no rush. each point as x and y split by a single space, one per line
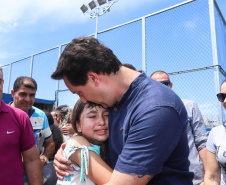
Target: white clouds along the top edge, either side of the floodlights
14 13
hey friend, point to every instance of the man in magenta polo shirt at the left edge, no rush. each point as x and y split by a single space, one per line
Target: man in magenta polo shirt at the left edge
17 141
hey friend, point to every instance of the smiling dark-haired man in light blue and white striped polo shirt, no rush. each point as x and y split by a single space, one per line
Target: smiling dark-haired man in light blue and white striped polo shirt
23 93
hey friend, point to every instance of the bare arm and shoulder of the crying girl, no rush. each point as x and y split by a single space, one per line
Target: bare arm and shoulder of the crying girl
99 171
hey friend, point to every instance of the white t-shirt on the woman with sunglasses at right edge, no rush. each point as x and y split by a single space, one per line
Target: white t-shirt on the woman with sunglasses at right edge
216 144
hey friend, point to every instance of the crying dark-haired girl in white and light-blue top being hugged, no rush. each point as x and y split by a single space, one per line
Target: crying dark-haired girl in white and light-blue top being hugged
90 122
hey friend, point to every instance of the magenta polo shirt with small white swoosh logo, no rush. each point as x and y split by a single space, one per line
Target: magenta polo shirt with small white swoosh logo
16 136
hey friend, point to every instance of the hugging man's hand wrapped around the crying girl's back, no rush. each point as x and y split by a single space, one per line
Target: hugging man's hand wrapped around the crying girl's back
61 164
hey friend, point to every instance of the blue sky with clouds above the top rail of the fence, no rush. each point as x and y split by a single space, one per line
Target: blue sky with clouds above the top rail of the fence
29 27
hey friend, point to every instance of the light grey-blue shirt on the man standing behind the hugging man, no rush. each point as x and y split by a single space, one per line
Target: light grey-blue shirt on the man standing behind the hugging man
197 137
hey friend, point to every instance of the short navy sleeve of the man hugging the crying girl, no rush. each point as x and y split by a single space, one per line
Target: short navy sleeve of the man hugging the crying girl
151 140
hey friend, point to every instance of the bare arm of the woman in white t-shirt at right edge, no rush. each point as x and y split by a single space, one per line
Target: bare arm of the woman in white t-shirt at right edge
212 171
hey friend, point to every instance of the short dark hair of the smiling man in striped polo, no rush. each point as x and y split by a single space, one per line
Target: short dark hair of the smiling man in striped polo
20 81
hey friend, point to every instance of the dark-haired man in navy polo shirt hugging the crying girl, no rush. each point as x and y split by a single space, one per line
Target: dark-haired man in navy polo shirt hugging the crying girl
147 121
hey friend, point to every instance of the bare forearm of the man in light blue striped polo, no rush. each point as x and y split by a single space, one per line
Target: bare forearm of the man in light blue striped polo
49 148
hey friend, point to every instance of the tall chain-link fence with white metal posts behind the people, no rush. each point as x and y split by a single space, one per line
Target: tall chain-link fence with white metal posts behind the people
187 40
